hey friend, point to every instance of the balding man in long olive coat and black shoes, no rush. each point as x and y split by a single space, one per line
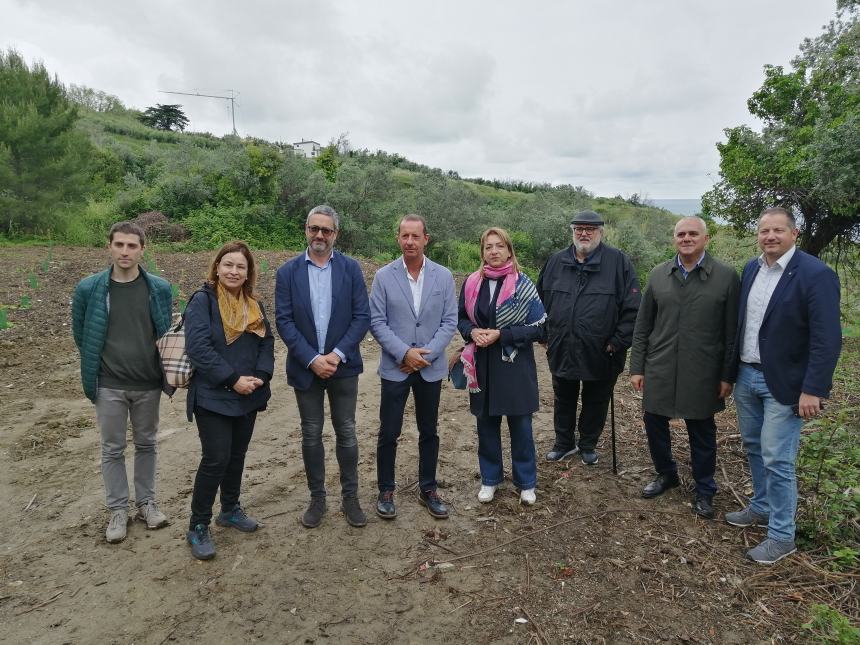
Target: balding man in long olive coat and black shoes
682 358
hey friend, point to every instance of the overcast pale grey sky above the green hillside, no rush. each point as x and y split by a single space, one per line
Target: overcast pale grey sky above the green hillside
619 97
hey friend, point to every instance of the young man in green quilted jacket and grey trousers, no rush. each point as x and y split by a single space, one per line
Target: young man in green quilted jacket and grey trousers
117 315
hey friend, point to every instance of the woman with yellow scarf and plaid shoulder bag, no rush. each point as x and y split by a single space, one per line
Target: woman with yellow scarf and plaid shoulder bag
230 344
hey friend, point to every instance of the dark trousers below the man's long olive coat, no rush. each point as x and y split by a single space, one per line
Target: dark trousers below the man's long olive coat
703 449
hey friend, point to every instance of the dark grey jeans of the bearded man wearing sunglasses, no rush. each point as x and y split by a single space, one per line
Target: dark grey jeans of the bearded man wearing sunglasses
342 396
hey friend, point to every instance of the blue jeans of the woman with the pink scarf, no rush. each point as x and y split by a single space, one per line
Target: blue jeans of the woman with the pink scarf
523 461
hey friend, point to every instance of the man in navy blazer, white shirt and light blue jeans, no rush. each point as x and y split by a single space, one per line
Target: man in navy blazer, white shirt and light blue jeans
789 340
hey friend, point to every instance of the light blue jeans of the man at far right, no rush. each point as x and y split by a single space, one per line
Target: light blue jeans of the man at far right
771 434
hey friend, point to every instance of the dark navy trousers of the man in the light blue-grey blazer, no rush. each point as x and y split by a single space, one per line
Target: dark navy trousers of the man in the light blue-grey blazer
392 405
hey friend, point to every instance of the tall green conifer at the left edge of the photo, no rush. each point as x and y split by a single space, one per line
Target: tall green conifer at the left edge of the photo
43 157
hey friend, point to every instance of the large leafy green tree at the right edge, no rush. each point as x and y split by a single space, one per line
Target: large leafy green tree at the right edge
807 155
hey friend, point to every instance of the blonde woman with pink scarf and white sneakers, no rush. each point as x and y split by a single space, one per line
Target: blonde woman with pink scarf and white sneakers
501 317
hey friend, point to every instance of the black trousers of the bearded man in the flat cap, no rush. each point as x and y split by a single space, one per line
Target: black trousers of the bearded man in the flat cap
595 403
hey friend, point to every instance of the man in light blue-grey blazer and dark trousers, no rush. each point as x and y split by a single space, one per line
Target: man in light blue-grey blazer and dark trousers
413 316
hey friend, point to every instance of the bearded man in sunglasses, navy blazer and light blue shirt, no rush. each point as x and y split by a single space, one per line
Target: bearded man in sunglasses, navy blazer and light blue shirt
322 315
